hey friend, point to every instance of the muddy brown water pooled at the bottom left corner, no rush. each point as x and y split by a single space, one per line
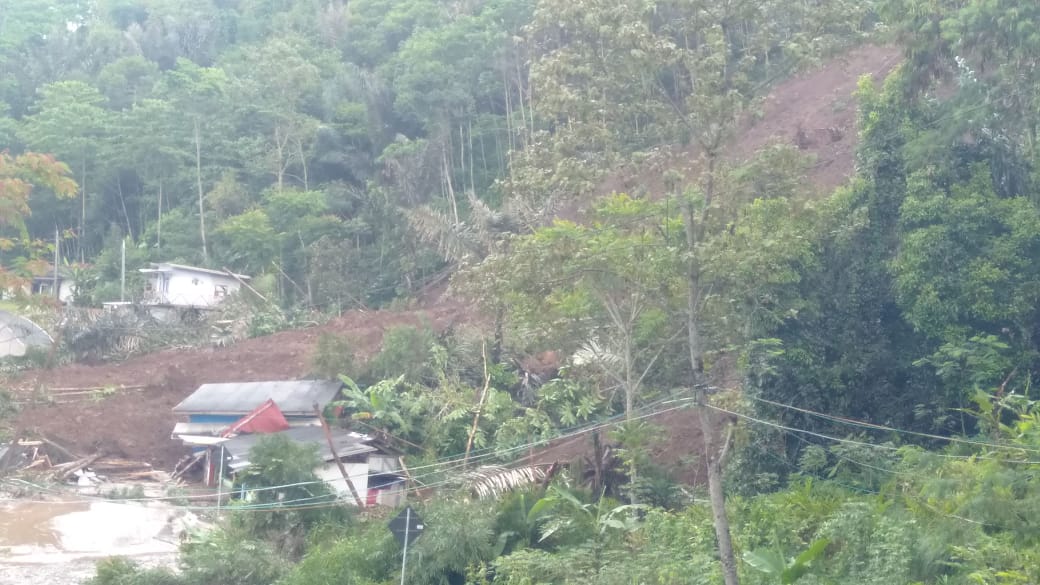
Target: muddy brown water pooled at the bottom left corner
58 544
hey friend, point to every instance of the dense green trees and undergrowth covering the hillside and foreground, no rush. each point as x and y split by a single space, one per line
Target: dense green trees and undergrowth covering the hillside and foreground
865 359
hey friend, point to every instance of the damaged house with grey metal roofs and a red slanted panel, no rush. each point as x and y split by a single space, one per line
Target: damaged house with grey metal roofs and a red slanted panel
225 421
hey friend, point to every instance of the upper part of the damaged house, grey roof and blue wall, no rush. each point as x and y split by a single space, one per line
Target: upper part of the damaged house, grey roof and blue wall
215 408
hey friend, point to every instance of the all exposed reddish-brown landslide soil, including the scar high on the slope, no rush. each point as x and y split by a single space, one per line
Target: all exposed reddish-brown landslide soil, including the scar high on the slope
136 423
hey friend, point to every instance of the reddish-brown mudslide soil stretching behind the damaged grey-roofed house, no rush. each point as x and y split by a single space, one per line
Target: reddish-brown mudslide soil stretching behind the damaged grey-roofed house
137 423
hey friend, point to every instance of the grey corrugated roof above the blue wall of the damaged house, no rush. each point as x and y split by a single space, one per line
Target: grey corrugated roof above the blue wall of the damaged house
295 398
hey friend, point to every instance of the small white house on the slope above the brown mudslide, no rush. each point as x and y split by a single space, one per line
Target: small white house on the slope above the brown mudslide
177 286
